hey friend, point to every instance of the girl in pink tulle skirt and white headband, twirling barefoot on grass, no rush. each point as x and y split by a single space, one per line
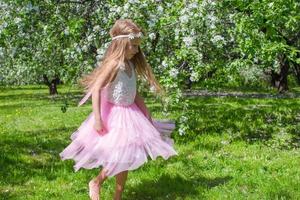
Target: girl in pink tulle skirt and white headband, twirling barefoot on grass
119 134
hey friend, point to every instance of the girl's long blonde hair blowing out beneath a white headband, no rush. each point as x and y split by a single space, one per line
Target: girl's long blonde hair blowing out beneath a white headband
106 70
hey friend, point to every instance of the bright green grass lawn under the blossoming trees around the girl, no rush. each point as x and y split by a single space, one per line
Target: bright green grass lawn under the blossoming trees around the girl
227 157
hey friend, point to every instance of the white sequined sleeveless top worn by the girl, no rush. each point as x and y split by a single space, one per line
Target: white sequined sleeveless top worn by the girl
122 90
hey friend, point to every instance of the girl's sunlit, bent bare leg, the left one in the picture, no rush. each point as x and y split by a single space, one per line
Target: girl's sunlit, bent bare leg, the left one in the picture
95 185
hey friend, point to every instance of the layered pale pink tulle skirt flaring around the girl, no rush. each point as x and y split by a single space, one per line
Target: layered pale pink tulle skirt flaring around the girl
129 140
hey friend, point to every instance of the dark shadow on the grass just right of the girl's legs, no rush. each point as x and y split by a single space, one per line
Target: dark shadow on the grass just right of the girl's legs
167 187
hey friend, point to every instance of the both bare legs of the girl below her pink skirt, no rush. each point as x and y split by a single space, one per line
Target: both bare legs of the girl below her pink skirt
95 184
